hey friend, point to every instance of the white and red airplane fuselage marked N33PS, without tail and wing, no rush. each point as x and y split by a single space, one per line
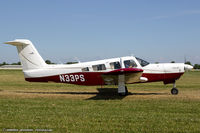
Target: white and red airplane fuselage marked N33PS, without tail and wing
74 73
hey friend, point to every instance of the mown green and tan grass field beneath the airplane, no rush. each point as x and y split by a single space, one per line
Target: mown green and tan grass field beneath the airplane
148 108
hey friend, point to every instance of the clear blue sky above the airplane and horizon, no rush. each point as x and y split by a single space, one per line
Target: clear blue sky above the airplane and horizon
66 30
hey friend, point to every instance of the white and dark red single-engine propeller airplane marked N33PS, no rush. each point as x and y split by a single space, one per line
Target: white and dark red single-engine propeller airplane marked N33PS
115 71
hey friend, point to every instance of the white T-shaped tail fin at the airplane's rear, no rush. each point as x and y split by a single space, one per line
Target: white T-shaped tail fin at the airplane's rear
28 55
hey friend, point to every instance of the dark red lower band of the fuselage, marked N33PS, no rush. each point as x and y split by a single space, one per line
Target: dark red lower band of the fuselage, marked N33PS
94 78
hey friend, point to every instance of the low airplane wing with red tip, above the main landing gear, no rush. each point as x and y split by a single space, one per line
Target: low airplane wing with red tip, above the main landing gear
131 75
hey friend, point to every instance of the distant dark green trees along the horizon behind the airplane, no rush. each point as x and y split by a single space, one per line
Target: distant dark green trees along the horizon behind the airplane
196 66
